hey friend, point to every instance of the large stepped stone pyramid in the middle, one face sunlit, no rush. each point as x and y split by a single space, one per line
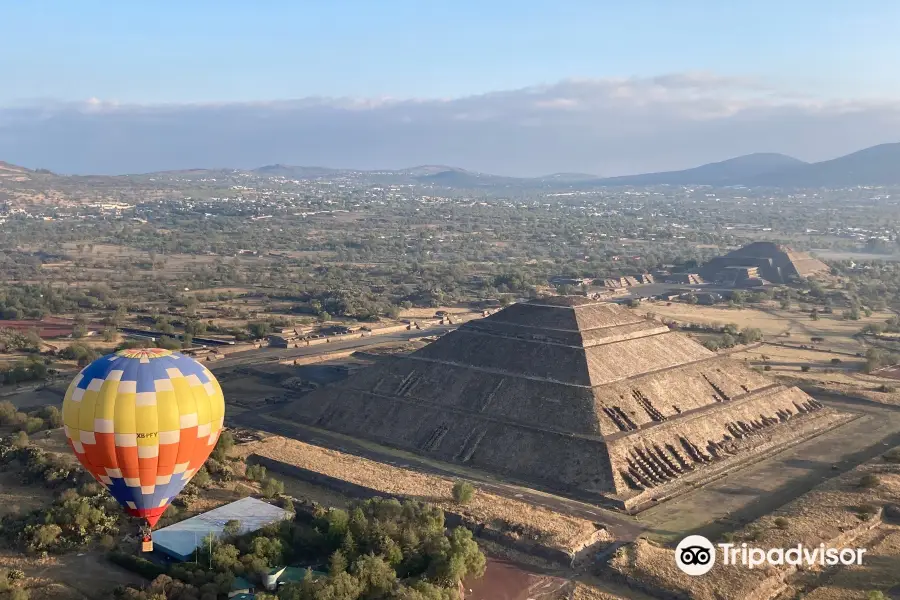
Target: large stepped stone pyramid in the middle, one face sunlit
565 392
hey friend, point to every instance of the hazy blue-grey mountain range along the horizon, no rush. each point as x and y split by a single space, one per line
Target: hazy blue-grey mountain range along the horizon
878 165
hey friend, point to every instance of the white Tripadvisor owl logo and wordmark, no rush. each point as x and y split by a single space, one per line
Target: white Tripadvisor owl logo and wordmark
696 555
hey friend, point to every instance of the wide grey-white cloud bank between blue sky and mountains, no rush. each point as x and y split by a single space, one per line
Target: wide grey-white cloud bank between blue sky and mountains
604 126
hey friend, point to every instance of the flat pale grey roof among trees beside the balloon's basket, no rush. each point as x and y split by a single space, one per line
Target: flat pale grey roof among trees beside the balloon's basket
179 541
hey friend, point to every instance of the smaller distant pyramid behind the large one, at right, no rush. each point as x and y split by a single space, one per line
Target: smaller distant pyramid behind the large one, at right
776 263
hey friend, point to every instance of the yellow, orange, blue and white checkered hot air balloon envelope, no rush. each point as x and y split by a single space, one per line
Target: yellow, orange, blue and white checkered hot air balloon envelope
142 422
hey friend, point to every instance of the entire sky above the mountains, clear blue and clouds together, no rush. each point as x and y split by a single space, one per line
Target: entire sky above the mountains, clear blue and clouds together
513 88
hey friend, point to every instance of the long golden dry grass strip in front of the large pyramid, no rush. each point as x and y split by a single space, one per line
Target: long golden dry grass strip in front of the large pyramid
556 530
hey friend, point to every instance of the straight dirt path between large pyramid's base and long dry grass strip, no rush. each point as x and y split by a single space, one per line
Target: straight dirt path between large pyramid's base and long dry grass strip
622 527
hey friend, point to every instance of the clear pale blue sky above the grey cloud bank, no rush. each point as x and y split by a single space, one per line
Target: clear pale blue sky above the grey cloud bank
138 51
